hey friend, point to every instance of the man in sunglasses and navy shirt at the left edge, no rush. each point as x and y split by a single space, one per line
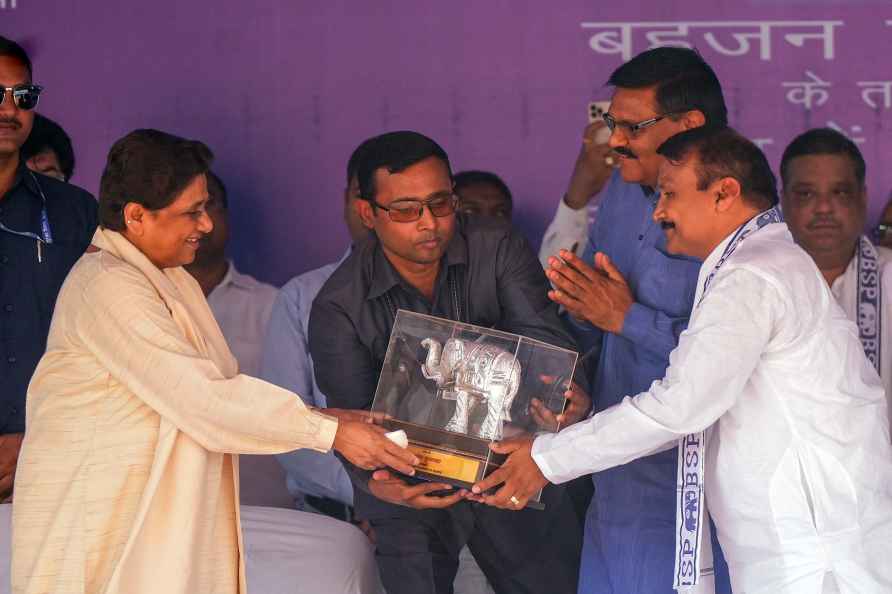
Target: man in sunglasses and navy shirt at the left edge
45 226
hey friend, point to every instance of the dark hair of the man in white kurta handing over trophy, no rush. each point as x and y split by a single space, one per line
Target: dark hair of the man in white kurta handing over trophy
722 152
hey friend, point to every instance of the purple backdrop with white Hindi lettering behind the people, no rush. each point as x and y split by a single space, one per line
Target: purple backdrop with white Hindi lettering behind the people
282 90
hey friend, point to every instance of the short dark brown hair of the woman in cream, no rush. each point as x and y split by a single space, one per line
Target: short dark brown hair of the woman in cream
151 168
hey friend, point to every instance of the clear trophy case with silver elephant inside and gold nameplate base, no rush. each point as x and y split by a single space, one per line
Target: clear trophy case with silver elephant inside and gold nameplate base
454 389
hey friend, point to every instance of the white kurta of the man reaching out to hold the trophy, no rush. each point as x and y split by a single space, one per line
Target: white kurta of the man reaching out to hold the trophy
798 465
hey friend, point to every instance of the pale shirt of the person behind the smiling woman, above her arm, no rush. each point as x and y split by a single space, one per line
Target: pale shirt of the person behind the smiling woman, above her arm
242 306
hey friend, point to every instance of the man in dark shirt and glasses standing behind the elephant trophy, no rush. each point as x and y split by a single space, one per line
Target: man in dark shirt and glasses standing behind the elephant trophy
425 257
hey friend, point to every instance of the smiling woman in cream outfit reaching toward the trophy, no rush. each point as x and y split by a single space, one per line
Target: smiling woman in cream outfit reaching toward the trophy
128 476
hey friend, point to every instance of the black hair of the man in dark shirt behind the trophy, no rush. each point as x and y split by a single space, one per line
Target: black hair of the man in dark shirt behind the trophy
396 152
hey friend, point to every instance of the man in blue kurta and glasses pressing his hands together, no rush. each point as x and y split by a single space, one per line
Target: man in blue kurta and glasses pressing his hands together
630 315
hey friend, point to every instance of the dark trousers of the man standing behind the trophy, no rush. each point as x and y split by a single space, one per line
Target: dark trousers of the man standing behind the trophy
523 552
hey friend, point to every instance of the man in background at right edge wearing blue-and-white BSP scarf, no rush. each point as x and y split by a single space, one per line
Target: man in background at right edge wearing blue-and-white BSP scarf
825 206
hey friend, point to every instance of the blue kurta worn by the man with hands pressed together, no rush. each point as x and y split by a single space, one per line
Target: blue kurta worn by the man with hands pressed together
630 529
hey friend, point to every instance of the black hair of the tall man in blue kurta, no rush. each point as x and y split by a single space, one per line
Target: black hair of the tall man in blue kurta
683 81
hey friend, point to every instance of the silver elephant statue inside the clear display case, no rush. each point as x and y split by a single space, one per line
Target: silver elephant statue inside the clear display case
472 372
